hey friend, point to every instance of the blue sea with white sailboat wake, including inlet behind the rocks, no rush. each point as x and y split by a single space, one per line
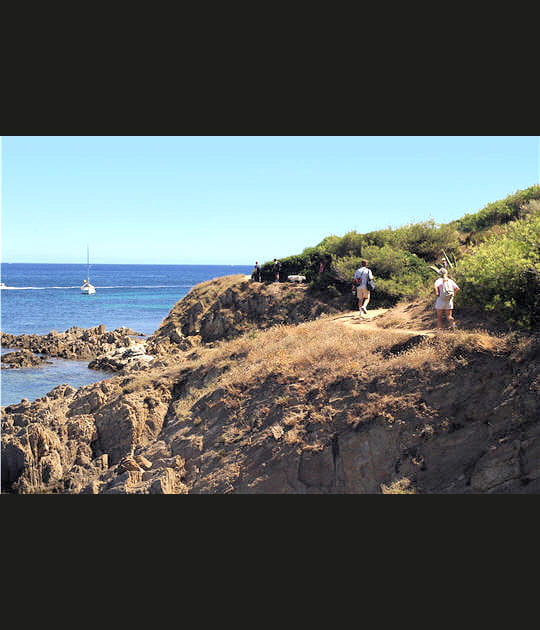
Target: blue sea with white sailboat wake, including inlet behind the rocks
45 297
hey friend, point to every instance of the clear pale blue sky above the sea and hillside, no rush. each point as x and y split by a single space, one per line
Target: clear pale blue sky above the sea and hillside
237 199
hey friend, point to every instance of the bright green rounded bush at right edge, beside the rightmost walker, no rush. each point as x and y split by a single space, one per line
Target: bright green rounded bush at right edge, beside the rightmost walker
503 274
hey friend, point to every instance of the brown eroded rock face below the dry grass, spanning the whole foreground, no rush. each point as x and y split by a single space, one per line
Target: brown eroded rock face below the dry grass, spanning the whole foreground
470 429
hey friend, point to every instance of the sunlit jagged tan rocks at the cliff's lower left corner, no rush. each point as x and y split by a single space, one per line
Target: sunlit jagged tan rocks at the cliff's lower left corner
65 441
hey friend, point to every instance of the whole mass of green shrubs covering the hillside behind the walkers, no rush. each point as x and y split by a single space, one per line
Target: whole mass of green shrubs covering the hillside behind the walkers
501 274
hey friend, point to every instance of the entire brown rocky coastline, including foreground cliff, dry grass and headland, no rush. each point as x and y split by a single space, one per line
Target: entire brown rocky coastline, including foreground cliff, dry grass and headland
253 388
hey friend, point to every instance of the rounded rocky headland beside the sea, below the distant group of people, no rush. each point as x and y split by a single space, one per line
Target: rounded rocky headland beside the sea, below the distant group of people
227 307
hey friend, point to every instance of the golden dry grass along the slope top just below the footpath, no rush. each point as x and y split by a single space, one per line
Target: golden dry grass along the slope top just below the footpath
320 352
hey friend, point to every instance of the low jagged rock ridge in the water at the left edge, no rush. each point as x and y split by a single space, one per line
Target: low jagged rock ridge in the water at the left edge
74 343
